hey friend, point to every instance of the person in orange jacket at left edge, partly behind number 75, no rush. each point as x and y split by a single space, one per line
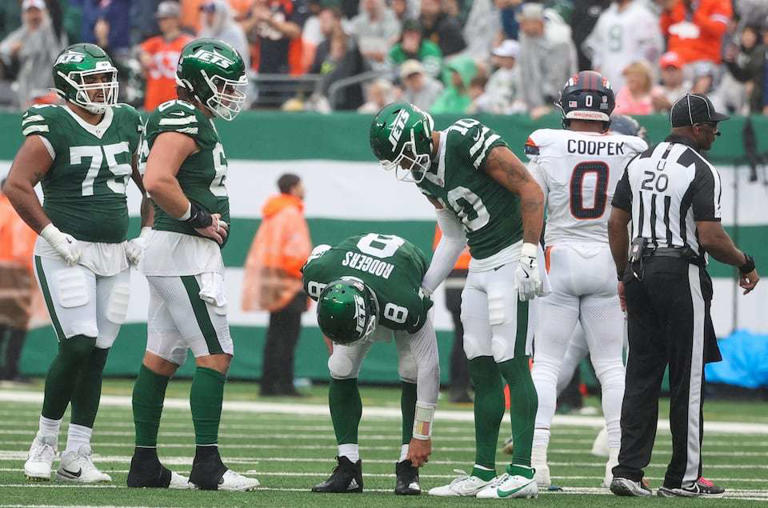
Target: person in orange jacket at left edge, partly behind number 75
17 241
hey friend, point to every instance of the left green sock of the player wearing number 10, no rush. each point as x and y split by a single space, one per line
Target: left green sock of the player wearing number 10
489 409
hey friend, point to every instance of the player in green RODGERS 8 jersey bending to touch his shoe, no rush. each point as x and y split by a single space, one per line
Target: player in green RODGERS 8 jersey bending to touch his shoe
368 288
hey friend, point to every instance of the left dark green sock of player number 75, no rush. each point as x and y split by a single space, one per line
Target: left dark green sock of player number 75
64 373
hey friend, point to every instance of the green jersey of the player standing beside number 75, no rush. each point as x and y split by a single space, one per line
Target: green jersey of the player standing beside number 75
202 175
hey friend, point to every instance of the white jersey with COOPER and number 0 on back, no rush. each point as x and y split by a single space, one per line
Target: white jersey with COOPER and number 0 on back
578 173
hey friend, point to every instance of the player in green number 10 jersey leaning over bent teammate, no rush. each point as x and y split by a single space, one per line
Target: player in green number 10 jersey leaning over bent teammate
485 198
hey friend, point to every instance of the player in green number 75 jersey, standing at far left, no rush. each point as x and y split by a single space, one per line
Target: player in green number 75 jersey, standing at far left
83 153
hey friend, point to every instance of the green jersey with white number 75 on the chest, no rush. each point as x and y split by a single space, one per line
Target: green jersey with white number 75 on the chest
84 189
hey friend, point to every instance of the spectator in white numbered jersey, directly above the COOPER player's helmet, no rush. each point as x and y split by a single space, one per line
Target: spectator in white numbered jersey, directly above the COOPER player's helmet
626 32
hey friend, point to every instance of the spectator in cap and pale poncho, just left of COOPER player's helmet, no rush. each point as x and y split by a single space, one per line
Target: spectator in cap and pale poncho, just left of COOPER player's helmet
546 60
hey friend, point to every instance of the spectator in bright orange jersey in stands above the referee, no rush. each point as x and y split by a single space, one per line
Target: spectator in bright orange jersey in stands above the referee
695 29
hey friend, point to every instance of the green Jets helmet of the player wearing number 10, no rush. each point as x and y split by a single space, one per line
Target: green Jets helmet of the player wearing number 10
401 139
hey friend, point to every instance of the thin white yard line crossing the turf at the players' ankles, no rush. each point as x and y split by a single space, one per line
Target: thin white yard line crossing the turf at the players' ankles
182 460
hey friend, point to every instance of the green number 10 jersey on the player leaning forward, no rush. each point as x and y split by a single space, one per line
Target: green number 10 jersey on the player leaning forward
489 212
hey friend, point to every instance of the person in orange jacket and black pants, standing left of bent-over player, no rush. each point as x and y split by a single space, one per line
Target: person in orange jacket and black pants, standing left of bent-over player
273 281
